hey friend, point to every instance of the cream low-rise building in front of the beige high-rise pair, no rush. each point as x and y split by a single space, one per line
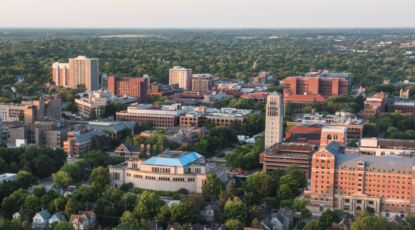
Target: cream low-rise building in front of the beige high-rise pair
99 99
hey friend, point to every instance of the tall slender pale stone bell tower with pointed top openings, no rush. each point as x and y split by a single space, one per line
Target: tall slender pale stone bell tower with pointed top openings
273 121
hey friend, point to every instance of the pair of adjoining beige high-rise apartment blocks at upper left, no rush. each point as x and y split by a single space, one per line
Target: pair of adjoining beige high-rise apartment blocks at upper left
80 70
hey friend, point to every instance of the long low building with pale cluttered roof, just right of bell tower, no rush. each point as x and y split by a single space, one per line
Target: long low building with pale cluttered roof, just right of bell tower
355 127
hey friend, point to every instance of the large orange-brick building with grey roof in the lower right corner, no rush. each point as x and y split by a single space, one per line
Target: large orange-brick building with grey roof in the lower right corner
351 182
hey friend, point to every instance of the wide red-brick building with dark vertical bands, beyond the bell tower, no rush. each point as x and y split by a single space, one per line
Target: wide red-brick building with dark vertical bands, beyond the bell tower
326 87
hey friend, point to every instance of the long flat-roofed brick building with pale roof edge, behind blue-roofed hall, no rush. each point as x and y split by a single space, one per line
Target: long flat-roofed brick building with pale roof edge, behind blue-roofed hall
159 115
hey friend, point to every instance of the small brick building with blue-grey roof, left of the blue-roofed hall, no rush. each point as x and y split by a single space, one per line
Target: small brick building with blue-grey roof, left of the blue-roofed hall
78 143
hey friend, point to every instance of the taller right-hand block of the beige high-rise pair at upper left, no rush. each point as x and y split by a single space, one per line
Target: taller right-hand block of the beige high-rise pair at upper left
84 70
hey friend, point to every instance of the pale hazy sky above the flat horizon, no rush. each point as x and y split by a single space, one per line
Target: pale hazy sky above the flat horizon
207 13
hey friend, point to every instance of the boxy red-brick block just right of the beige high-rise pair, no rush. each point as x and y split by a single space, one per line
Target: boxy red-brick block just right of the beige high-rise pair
129 86
